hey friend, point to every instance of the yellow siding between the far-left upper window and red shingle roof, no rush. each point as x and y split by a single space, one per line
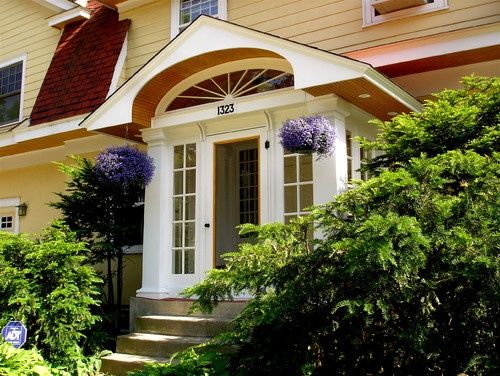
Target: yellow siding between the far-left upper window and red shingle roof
24 30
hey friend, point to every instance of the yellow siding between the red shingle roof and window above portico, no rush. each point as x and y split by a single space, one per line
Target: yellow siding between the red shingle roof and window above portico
149 32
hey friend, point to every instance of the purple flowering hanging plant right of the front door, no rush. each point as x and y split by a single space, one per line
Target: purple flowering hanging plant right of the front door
308 134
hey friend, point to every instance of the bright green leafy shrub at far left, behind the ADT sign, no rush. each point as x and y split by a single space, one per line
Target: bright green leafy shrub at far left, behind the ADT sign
45 284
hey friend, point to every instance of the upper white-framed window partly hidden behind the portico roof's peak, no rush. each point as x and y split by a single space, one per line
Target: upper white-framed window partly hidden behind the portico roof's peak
186 11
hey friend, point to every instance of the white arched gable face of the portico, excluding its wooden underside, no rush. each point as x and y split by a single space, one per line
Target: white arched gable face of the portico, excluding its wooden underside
311 67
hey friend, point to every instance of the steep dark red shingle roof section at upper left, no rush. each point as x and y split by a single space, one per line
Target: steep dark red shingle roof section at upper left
82 67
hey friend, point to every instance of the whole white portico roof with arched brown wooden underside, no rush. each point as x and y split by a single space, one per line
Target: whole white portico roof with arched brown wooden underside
209 42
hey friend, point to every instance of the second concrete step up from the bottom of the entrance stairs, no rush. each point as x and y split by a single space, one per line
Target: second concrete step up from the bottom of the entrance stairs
157 345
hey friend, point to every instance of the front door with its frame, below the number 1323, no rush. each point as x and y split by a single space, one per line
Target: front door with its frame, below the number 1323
236 190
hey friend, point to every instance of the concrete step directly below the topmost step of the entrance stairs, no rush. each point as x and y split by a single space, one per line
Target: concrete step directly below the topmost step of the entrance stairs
183 325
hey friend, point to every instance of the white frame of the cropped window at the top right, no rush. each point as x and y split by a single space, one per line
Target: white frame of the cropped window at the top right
370 18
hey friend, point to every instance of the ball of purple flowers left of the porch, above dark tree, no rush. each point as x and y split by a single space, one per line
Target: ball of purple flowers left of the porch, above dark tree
124 165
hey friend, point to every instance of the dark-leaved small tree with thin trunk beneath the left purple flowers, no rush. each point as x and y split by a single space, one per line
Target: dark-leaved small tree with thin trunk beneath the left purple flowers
104 215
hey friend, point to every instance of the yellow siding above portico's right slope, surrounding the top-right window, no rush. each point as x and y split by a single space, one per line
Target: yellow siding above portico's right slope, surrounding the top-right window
337 25
